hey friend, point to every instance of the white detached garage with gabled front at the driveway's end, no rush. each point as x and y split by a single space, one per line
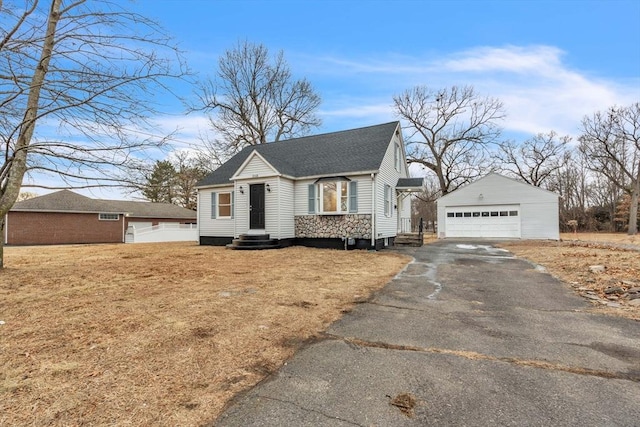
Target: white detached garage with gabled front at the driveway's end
499 207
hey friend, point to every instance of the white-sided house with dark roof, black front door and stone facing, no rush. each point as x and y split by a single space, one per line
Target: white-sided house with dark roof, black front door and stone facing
343 189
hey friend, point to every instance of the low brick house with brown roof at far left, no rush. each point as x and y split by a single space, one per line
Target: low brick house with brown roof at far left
65 217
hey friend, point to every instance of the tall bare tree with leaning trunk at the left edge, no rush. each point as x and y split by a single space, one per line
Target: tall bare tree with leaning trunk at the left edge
75 80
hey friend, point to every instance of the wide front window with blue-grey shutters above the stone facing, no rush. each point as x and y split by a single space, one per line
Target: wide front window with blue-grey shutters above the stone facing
333 197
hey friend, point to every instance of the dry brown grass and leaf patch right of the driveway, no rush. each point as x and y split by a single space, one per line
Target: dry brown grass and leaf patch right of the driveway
570 259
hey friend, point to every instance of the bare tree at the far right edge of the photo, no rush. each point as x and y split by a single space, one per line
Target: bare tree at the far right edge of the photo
610 141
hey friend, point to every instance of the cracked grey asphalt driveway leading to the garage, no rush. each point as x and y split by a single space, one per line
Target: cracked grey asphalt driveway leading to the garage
466 335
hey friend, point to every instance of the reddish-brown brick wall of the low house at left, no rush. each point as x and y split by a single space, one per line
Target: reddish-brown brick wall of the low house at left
38 228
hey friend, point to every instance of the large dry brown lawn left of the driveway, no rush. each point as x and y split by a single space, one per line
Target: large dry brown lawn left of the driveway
161 334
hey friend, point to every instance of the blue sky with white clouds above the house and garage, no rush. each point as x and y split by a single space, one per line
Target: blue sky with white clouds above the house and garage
550 62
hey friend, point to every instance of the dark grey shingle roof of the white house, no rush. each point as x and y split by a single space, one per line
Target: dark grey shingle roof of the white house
336 153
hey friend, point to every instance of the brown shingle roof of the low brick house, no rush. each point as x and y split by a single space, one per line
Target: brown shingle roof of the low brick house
70 202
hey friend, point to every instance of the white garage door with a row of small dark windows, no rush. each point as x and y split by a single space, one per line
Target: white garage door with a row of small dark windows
502 221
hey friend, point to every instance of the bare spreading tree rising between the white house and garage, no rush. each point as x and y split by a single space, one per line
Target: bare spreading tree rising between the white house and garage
451 131
